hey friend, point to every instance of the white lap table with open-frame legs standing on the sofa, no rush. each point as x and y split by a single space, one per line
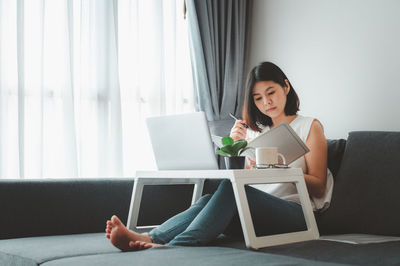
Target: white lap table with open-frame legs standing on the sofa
239 179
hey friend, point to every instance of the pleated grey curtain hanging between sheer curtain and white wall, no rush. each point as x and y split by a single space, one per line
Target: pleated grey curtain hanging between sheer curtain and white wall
218 31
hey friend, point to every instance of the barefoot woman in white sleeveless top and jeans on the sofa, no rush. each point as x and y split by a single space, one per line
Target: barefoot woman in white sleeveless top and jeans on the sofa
270 100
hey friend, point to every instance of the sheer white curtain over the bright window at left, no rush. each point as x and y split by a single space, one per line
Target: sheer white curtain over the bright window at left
77 79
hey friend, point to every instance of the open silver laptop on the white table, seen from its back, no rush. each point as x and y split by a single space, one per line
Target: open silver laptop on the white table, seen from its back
182 142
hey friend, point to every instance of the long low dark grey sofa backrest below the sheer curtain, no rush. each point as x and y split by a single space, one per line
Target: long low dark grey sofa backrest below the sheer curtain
38 207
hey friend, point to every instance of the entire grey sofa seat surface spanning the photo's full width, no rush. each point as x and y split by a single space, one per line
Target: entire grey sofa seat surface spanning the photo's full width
95 249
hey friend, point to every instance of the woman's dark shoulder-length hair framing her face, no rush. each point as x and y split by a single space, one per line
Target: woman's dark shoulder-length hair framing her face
266 71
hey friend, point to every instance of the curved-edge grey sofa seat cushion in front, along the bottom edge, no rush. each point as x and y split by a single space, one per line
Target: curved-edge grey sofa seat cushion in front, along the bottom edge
189 256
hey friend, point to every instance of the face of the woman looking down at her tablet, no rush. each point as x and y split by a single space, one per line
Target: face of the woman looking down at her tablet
270 98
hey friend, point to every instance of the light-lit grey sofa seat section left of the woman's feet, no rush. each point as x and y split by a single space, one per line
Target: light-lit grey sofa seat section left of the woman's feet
37 250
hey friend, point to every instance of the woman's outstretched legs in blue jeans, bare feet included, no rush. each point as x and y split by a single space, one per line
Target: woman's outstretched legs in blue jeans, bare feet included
209 217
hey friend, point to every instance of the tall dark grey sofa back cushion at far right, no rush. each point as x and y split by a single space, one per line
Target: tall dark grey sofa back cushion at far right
366 187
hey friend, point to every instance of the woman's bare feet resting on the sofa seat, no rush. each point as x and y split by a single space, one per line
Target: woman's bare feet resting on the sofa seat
120 236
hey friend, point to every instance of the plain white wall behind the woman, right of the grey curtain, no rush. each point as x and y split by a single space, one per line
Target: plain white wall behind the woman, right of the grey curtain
342 57
